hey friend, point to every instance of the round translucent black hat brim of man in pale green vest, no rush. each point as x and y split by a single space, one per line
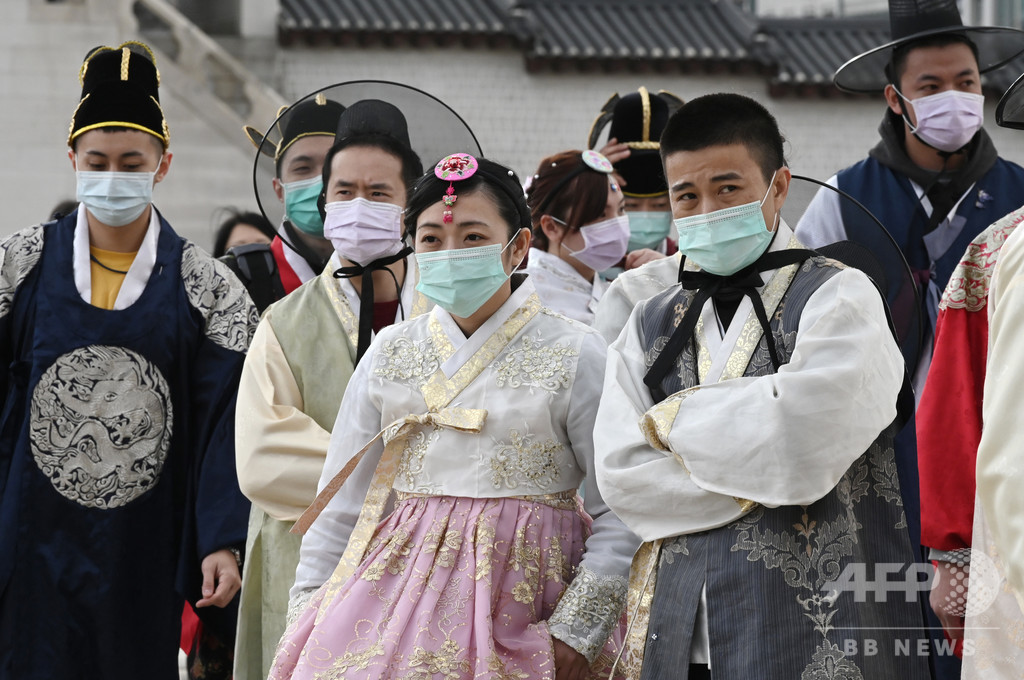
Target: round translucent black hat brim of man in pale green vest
429 126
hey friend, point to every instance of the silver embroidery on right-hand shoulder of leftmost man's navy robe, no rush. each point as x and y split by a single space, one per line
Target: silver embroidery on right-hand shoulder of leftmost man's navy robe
221 297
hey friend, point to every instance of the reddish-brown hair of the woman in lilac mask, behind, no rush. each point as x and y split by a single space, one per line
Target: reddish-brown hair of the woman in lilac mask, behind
578 202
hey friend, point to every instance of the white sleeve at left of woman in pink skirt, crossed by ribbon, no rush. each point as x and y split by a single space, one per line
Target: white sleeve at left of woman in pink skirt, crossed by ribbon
359 421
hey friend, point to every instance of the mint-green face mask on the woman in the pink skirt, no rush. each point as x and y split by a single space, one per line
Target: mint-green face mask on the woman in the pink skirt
461 281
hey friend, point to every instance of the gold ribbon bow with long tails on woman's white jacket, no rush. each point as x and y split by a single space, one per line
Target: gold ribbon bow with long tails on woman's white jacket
395 437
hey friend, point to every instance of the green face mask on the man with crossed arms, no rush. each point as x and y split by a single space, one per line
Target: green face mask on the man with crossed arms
726 241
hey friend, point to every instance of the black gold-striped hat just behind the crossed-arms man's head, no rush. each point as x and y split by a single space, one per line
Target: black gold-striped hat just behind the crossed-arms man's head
638 120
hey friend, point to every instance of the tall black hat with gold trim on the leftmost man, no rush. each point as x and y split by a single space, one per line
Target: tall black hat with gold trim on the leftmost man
120 89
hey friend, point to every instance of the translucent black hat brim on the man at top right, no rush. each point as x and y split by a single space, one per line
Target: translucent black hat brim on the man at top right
865 74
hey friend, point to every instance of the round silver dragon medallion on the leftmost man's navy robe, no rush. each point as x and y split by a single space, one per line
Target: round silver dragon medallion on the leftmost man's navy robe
101 426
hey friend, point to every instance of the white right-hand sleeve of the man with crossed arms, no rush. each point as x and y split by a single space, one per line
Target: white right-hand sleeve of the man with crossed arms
788 439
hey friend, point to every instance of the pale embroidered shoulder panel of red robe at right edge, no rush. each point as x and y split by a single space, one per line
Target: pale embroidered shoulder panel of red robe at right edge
968 287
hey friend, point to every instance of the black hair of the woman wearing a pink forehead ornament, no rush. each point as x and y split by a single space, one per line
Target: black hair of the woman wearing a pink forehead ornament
497 182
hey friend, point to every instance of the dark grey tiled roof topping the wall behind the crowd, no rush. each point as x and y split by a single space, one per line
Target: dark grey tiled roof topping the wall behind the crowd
798 56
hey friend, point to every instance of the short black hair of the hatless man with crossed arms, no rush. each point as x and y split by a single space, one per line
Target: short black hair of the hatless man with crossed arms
720 120
